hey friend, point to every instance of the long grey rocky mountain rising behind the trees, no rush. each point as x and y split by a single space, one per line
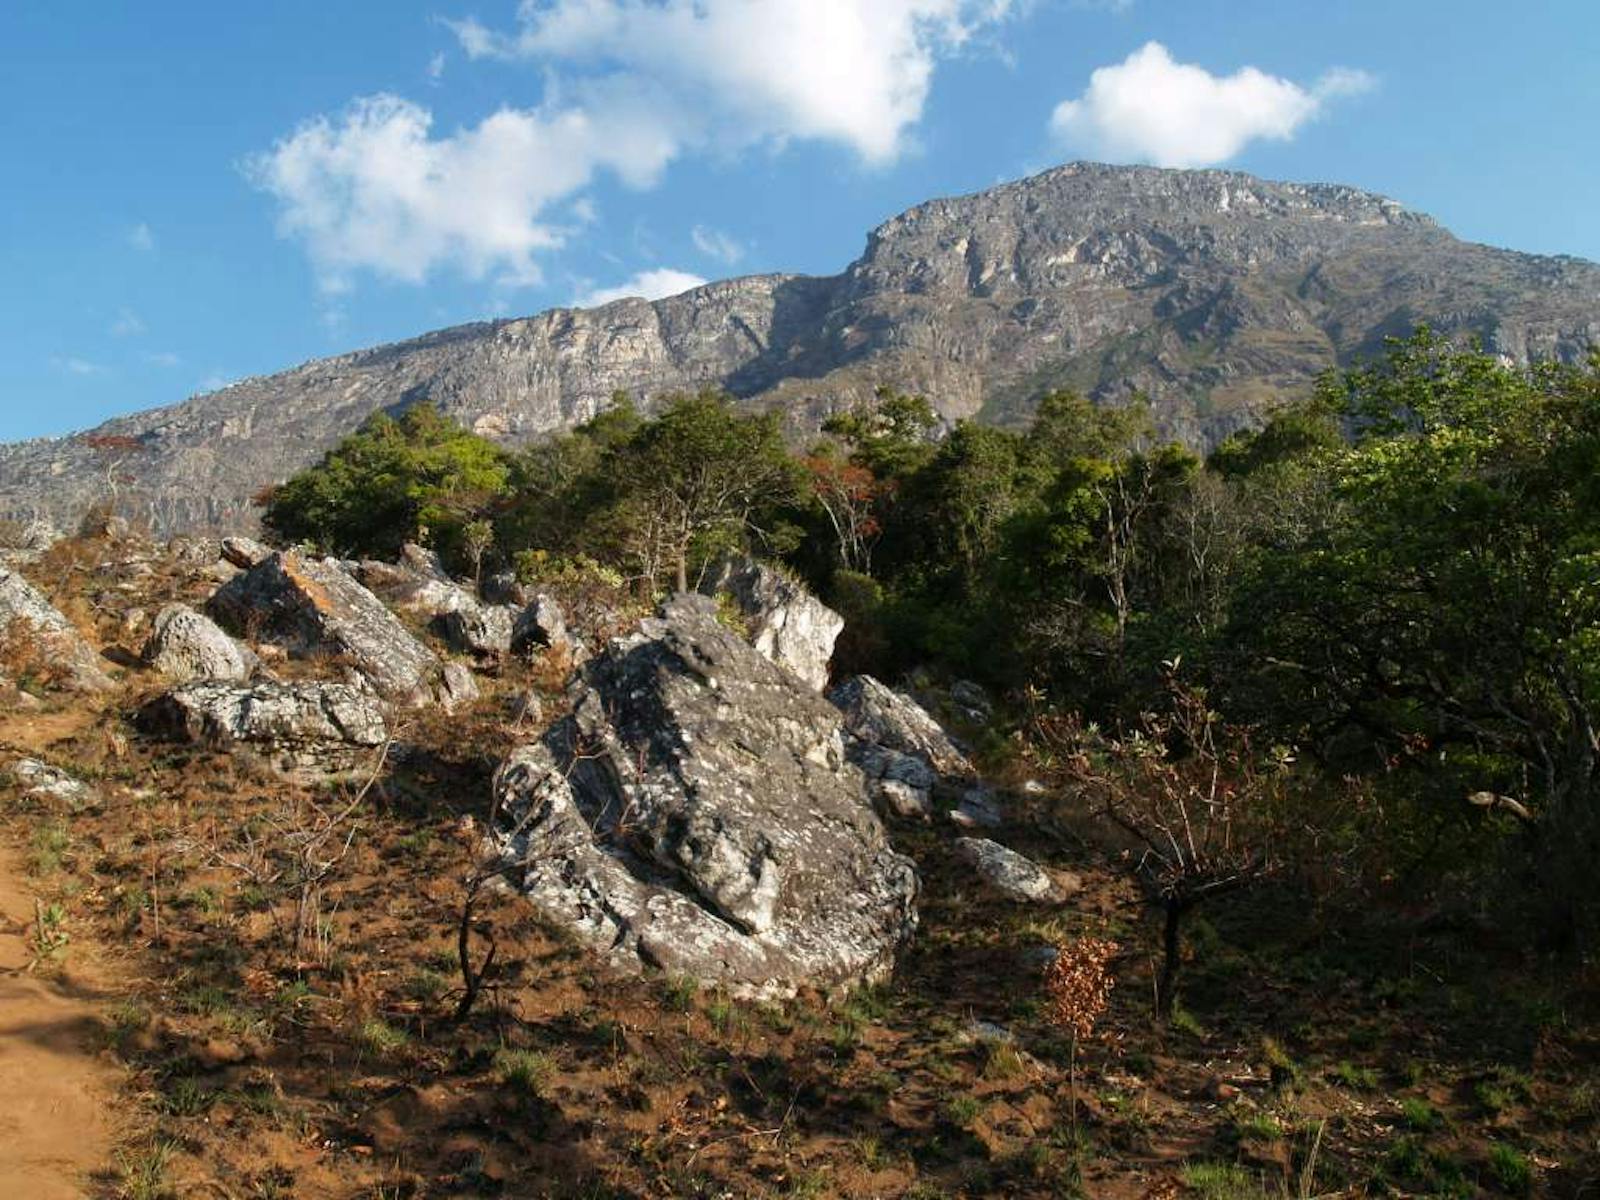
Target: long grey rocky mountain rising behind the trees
1215 294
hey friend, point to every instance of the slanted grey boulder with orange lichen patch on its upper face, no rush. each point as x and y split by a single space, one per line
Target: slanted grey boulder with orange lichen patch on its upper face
318 609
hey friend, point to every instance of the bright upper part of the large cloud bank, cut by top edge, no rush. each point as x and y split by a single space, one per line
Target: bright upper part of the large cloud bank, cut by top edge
847 71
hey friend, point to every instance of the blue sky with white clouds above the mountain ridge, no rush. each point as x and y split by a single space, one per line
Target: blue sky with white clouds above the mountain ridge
199 193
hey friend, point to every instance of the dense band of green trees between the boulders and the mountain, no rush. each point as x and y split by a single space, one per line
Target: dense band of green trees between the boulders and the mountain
1399 578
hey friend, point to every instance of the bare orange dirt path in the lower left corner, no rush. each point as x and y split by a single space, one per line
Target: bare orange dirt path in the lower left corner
57 1090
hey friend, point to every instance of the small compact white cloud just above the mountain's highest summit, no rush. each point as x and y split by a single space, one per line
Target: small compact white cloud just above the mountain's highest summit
1153 110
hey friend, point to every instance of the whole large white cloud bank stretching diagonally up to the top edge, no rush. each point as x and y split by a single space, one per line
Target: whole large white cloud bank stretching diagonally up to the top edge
631 86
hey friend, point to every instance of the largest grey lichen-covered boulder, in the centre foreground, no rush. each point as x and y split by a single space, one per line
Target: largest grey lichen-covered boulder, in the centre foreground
698 815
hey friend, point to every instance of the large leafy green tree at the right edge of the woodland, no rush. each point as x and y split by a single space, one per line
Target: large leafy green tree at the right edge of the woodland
1447 602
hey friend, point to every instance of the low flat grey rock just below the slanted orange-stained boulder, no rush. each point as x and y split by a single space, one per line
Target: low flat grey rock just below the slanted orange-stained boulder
310 726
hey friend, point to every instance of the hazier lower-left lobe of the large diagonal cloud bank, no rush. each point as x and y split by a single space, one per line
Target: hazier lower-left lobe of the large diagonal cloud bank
377 191
